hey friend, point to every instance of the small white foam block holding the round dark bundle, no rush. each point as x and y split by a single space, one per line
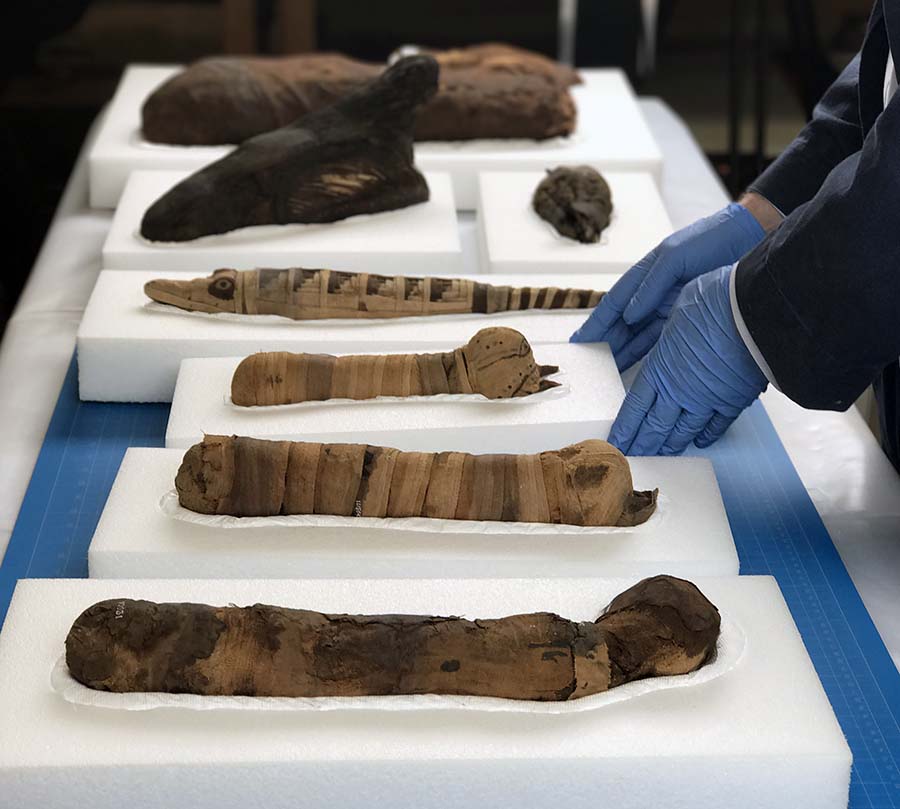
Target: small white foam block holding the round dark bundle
514 239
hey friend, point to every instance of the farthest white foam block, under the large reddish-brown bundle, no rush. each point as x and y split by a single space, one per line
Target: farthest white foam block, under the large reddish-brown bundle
611 132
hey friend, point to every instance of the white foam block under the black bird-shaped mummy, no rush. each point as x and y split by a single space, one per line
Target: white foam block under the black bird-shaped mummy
413 240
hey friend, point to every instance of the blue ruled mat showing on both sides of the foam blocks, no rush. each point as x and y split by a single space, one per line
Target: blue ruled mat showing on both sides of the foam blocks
776 529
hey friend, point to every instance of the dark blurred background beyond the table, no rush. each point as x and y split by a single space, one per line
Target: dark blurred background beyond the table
61 60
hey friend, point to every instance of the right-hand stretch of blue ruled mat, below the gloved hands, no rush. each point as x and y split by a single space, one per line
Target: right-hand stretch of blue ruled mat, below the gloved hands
778 532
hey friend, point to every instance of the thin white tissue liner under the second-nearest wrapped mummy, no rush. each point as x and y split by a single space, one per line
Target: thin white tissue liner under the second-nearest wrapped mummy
169 505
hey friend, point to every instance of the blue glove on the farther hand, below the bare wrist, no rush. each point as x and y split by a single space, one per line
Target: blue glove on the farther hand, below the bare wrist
631 316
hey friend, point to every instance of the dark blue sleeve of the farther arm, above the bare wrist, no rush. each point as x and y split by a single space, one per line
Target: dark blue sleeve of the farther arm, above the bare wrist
833 134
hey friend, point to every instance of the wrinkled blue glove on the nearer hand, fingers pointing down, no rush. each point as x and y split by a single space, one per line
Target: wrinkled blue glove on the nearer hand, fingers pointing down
695 381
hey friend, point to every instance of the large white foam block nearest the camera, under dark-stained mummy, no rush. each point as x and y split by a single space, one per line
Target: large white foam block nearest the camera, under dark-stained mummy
762 736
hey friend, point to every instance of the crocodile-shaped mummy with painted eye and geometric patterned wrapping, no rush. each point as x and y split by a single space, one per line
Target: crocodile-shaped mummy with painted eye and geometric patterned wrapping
302 294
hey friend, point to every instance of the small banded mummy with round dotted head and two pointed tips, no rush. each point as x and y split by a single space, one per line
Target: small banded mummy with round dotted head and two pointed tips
496 363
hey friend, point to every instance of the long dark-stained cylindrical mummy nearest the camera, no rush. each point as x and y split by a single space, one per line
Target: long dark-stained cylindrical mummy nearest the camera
659 627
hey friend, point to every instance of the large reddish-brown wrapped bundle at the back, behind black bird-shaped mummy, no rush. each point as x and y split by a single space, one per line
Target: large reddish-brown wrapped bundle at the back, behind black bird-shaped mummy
486 91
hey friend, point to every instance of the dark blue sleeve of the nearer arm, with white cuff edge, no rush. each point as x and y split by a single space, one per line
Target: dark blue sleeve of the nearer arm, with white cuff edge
821 295
